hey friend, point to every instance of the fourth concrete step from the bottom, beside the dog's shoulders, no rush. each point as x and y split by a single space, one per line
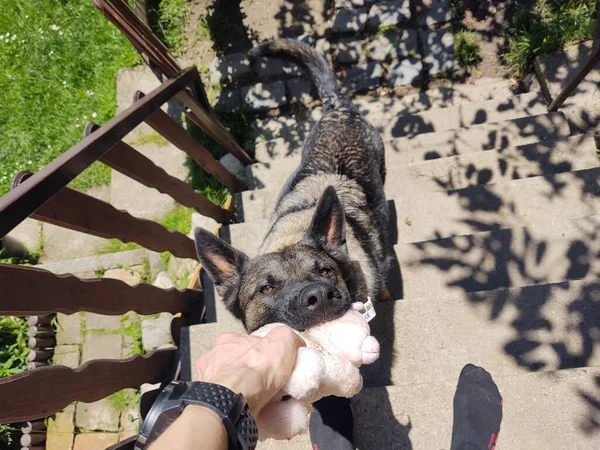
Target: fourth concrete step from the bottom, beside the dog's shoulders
418 216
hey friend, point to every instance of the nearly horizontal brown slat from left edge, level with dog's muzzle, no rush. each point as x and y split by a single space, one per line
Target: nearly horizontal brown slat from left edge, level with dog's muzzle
30 291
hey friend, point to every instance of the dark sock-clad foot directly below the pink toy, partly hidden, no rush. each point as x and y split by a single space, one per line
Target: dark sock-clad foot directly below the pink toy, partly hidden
331 424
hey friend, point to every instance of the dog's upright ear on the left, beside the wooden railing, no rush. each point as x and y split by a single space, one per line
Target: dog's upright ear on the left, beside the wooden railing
221 261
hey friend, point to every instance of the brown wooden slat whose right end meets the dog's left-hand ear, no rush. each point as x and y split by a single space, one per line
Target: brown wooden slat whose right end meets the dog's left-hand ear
80 212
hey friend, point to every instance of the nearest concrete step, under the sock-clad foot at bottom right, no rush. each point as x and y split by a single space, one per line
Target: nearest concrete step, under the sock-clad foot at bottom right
554 411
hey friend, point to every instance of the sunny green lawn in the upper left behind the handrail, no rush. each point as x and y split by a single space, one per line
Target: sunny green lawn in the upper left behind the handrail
59 63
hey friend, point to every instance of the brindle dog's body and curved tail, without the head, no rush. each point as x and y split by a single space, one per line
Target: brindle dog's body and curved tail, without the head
344 151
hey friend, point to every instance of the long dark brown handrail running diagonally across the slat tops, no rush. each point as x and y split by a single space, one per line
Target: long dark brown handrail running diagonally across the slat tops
19 203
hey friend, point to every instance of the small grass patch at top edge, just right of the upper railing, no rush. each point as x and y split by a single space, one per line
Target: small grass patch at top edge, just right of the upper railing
167 21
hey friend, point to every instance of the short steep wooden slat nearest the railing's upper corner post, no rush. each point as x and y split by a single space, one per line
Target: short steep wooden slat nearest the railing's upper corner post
179 137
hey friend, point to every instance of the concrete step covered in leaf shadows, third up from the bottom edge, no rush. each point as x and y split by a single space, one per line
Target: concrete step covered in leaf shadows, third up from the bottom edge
550 251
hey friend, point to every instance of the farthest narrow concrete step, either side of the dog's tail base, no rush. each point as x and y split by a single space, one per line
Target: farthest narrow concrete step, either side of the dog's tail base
372 107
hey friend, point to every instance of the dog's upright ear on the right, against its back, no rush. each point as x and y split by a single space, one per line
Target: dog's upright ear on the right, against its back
328 228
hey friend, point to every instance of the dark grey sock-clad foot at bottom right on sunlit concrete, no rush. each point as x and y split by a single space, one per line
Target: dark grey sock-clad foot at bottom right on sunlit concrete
477 411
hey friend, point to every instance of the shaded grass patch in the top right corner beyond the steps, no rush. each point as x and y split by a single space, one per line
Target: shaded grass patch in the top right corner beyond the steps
546 26
